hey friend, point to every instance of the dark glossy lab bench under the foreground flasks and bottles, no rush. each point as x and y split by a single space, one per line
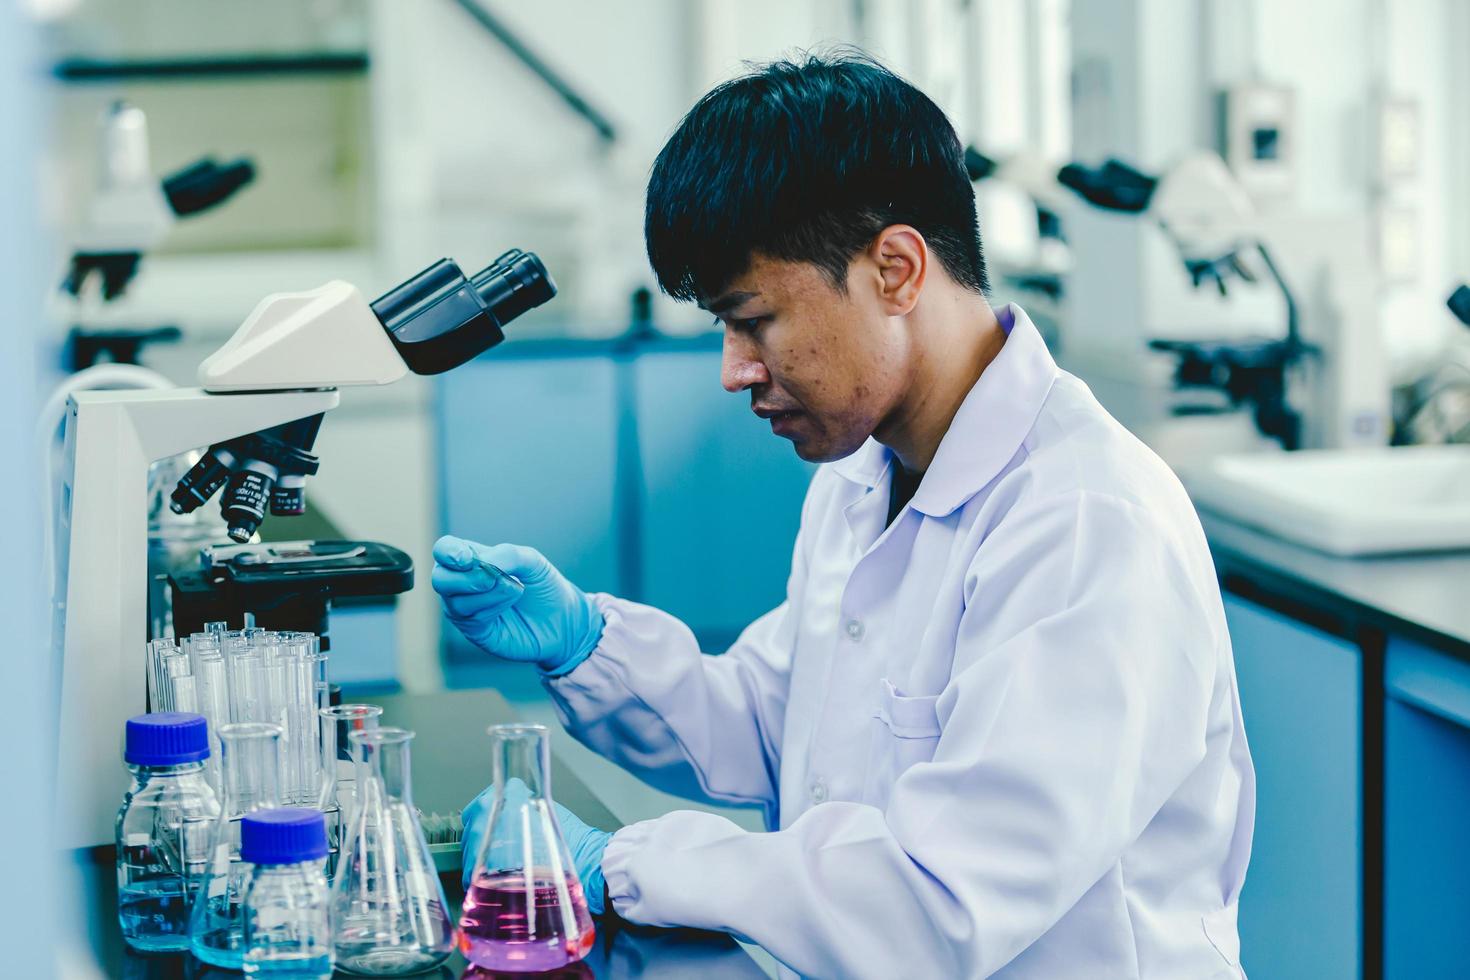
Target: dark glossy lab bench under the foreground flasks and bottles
452 765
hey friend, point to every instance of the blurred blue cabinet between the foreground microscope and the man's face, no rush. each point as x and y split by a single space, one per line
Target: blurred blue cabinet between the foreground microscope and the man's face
631 469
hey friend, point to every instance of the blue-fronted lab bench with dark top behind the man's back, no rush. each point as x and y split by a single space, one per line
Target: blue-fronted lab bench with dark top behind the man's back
1356 690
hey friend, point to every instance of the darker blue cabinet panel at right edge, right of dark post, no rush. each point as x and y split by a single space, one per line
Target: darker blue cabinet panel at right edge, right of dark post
1427 813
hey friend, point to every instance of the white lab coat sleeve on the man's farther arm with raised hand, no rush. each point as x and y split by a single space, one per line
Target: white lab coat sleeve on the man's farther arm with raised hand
695 725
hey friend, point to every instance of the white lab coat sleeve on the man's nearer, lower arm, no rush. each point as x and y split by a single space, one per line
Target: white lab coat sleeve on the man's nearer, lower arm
1078 705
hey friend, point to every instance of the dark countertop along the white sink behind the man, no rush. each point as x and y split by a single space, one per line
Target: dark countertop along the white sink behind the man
1425 597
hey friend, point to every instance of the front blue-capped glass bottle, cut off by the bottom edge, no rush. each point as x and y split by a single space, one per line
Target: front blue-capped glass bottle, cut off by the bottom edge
287 907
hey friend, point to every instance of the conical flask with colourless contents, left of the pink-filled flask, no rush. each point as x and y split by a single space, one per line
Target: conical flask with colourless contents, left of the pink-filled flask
387 901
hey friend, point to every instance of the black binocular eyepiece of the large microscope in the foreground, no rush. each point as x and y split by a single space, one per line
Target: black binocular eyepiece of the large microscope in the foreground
440 320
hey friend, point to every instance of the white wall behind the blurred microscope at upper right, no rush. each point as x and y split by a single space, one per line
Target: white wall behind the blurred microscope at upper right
1147 77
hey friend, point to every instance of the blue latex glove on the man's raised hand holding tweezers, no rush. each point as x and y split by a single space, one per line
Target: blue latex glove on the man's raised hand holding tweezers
514 605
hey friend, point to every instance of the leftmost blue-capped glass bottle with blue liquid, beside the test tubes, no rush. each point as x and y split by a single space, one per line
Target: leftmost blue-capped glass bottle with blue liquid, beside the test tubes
164 828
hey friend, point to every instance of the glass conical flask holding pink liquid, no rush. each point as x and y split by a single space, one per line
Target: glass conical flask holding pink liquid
526 910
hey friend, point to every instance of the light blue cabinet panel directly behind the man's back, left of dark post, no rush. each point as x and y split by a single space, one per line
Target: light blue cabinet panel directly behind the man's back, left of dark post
1302 910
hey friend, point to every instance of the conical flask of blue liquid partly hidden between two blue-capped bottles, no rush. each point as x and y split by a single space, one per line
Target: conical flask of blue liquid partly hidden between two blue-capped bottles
251 760
